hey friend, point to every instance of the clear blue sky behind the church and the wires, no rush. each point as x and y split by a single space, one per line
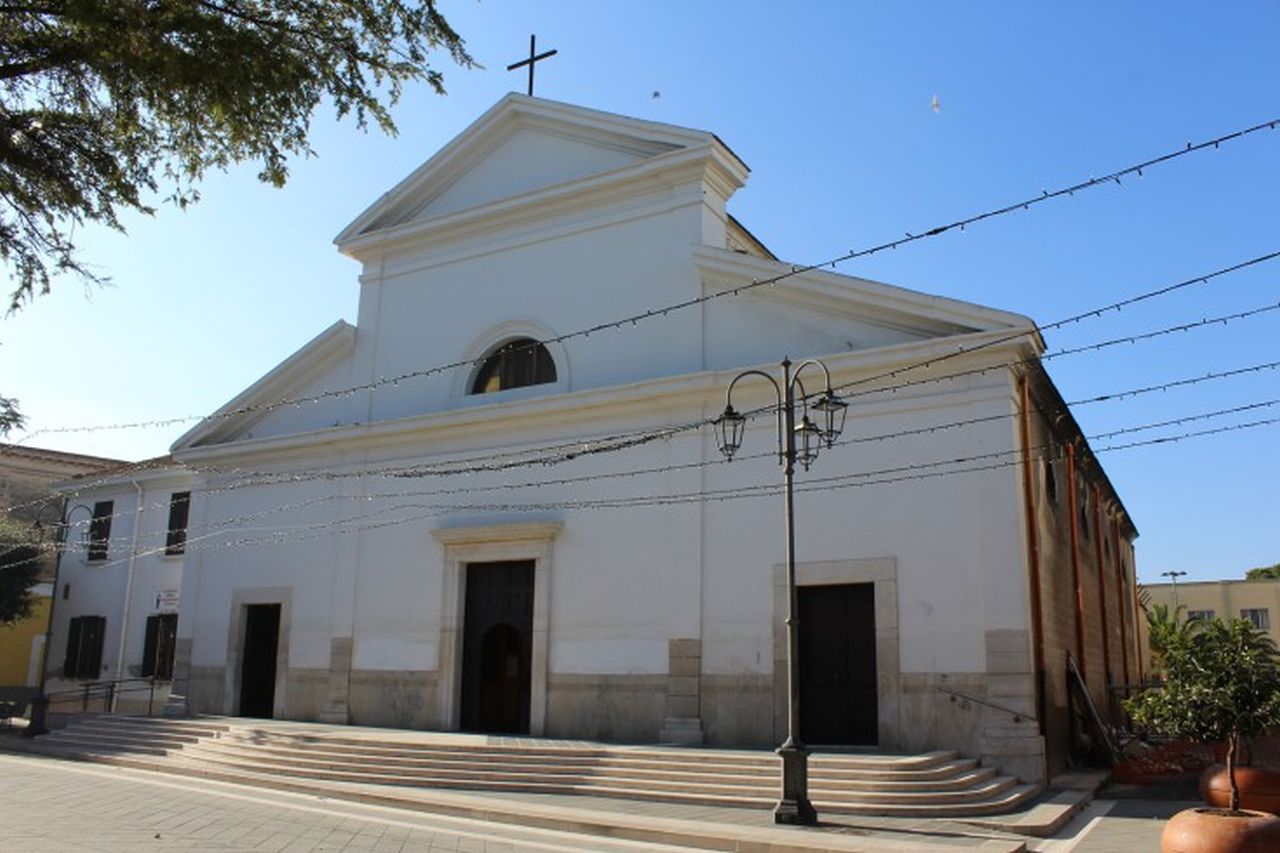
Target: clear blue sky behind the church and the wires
831 107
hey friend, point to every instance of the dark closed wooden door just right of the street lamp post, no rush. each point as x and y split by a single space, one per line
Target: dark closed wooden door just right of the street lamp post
838 665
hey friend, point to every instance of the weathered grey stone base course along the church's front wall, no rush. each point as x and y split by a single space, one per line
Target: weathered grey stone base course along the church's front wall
988 715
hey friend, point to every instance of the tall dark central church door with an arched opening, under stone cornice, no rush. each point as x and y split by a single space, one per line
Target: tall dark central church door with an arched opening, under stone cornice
497 645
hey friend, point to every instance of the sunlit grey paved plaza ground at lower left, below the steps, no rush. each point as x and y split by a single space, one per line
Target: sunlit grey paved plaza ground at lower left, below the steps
62 806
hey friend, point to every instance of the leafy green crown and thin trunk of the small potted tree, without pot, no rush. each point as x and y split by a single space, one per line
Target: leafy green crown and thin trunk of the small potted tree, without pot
1222 683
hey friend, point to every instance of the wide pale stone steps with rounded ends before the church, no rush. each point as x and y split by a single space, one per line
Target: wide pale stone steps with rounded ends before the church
935 784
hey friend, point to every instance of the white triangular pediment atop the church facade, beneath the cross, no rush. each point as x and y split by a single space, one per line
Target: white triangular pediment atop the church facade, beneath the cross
518 149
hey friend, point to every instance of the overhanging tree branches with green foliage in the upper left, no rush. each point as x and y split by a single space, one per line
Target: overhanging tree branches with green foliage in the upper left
106 103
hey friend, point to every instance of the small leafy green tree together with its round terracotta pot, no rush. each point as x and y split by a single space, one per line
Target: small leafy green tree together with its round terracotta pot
1222 683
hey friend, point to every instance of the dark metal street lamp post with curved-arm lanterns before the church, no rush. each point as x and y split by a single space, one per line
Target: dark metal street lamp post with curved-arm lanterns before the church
797 444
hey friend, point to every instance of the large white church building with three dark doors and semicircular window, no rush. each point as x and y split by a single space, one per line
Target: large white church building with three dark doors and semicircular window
464 513
